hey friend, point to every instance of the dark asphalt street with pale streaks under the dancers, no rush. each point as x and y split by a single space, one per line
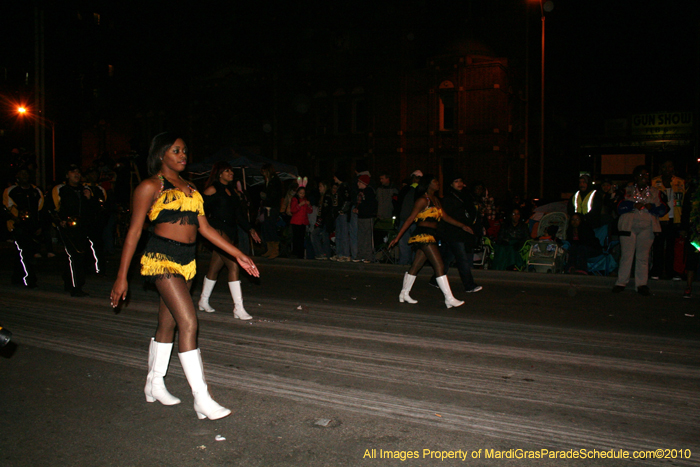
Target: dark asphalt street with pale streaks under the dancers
334 371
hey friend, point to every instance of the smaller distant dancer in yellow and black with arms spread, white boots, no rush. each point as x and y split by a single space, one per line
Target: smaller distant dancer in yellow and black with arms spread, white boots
427 212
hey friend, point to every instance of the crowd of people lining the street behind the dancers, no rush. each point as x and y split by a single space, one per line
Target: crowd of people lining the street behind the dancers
651 222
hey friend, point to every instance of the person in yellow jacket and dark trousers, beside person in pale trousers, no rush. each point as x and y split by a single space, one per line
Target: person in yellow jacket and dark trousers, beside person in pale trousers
673 189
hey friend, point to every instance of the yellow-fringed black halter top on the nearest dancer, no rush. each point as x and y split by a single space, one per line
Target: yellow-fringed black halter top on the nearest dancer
173 206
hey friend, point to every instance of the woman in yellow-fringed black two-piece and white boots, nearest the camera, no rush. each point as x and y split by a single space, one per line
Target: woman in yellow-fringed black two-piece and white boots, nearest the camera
176 211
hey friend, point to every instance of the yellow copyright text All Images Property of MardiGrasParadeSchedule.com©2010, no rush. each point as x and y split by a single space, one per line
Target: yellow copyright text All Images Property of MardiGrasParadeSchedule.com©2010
466 455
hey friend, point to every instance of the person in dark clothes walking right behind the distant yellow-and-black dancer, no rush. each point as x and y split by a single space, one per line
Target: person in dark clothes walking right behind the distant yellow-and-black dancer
457 244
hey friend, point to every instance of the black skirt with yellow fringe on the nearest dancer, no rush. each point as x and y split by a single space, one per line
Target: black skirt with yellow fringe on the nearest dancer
164 258
